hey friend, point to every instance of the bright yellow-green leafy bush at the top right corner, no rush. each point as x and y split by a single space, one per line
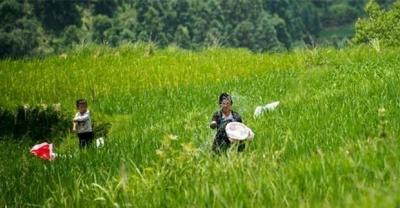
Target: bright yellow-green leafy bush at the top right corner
379 24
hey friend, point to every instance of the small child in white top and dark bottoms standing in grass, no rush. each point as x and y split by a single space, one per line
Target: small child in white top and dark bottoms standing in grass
83 124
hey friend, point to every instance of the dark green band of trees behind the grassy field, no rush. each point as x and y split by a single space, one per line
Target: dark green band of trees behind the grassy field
47 26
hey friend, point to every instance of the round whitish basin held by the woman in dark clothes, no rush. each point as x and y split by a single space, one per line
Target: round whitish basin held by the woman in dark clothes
238 132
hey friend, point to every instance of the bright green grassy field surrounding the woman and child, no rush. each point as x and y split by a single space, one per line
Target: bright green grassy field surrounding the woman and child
321 147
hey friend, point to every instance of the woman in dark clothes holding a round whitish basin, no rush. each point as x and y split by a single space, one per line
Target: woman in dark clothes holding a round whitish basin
219 121
